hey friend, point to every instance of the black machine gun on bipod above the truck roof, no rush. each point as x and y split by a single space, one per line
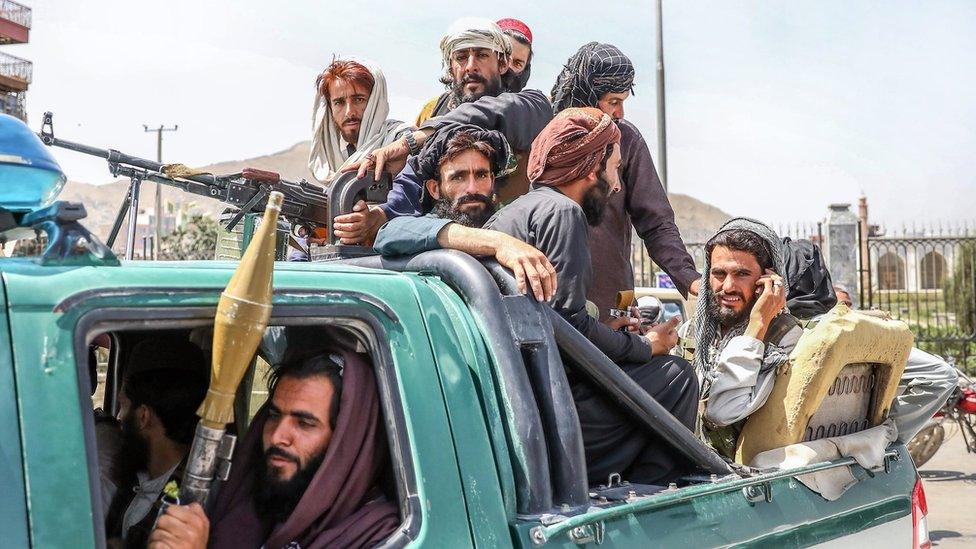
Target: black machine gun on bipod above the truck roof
305 203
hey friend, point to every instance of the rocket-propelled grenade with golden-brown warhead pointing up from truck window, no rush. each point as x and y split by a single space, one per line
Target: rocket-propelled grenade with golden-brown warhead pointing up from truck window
242 315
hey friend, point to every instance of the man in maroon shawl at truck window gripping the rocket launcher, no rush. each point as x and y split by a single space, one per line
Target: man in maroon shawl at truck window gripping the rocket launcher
306 473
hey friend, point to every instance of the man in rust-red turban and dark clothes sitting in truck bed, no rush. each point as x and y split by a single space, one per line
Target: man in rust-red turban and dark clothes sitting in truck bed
573 167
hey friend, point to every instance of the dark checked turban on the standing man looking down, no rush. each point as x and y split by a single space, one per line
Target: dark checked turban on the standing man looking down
596 69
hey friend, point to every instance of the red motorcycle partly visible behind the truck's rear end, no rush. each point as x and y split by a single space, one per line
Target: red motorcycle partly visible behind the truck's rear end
960 408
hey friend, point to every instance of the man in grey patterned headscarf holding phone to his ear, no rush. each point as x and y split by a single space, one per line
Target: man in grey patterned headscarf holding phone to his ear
744 330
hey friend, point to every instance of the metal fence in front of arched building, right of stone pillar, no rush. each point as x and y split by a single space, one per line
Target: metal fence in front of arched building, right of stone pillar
930 283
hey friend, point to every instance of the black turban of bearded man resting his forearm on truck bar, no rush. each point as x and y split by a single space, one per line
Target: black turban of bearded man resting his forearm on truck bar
426 163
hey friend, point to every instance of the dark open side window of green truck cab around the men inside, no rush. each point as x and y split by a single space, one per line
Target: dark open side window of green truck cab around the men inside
144 363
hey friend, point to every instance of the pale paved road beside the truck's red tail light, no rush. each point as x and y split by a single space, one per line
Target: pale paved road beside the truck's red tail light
950 490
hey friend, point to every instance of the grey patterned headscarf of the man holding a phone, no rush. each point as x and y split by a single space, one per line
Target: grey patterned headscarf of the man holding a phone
707 326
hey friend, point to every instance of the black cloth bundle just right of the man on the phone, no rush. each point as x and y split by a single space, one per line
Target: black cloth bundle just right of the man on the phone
811 292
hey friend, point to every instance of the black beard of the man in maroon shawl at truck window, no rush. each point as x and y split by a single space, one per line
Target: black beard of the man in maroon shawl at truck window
275 499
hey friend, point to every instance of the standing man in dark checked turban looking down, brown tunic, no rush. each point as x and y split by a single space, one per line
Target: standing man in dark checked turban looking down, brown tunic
601 76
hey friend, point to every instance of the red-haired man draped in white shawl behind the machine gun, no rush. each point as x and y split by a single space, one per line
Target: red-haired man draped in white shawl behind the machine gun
349 122
